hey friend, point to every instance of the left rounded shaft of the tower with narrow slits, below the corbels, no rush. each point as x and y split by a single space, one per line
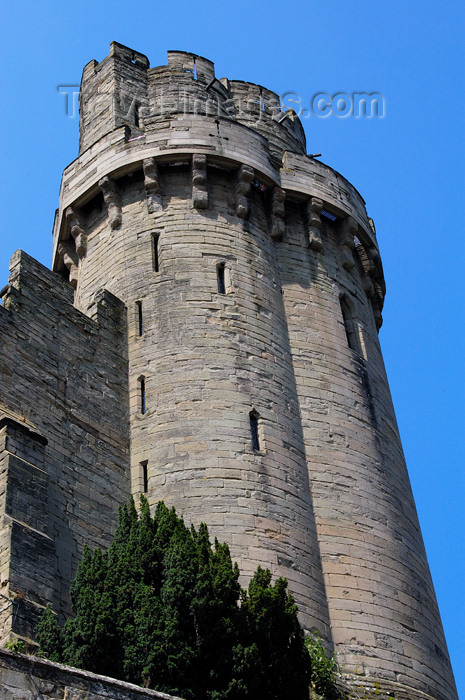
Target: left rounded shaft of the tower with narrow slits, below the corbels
207 360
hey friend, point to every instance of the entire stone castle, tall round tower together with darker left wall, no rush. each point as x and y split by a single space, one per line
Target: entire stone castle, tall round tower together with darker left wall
210 338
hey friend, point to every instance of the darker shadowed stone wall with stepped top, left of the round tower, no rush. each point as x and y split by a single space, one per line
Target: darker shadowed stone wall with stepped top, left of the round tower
64 438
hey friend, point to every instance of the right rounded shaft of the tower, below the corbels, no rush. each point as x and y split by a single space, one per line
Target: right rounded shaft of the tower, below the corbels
383 610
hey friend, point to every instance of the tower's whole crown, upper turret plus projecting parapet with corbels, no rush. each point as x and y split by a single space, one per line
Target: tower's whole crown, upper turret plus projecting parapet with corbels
137 119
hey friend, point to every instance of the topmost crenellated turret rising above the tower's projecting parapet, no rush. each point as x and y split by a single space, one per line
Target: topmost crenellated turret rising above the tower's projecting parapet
123 91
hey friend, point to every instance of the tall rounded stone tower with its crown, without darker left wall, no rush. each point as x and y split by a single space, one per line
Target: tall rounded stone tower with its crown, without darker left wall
258 397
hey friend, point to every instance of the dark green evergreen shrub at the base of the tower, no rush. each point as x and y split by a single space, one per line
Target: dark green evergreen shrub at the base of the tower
163 609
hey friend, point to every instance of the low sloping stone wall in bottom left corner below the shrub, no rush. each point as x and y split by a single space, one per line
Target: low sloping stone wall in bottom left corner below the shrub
30 678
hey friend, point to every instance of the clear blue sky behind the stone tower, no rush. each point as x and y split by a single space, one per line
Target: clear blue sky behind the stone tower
408 167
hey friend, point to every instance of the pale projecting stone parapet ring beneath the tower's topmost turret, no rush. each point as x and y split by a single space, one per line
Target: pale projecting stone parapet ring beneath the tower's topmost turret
300 178
